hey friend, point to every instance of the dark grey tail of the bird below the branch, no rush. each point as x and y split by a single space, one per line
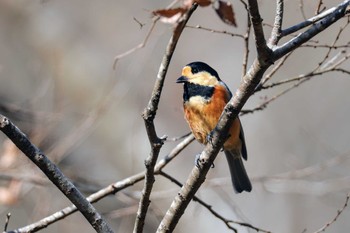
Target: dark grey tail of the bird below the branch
239 175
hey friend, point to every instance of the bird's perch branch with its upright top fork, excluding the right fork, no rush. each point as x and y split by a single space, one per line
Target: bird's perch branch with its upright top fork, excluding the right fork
220 133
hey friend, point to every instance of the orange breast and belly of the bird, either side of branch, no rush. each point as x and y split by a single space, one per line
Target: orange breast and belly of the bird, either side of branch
202 116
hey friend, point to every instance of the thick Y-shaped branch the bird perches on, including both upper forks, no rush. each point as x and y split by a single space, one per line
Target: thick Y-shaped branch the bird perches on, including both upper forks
250 81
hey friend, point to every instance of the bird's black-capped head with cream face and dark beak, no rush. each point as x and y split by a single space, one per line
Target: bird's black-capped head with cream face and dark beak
199 73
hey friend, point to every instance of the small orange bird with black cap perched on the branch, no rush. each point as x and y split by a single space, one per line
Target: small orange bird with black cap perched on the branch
205 96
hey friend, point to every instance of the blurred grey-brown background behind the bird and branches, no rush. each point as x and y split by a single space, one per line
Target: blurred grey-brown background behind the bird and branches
57 83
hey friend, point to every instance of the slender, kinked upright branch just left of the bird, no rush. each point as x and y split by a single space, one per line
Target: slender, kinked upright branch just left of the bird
149 115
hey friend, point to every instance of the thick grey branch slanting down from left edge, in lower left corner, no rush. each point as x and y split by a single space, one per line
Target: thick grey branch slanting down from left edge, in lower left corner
54 174
